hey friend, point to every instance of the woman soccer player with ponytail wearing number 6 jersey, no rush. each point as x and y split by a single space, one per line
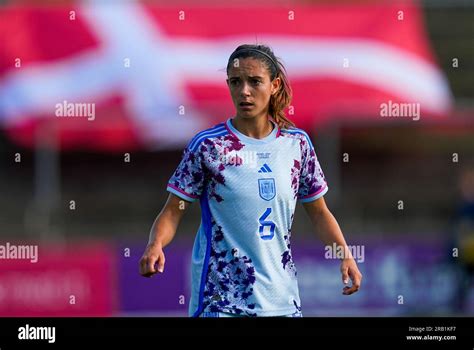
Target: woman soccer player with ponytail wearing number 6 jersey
248 172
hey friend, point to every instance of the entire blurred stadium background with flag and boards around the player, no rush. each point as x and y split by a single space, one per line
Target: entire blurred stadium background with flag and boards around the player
87 191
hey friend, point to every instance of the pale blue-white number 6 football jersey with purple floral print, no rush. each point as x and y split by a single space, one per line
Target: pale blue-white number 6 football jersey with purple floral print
247 188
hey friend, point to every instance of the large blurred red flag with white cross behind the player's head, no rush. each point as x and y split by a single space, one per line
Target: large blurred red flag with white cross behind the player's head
156 75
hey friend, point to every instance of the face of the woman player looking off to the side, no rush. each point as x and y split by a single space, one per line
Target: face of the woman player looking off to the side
250 87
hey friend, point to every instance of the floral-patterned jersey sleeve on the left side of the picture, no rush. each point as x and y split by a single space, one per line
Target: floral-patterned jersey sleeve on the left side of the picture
187 182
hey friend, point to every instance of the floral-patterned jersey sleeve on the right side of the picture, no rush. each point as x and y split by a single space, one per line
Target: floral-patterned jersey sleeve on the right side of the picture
312 183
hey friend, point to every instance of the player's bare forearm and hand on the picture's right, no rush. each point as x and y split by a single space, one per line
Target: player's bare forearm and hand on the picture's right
329 232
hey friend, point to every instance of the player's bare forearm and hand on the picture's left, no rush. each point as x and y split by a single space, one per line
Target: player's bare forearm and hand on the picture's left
161 234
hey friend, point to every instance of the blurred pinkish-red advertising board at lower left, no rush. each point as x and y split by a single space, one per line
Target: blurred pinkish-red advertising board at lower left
50 280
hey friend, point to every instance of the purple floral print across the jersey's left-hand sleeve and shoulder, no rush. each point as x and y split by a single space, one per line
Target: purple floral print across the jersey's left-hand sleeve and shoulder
205 166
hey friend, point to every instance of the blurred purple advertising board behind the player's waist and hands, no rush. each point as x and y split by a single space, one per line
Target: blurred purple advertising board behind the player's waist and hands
401 278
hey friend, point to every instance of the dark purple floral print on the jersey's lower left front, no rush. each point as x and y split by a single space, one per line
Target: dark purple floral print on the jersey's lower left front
230 278
